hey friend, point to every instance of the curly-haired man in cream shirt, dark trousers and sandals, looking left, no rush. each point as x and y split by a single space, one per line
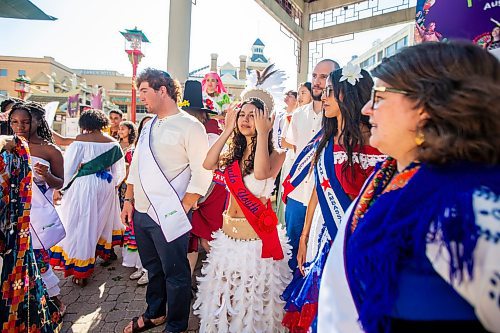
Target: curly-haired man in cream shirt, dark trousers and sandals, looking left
177 141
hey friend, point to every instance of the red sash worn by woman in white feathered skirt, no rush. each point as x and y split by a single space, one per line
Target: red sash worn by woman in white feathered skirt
261 217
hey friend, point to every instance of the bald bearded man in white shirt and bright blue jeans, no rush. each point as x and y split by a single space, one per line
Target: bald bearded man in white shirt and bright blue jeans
305 124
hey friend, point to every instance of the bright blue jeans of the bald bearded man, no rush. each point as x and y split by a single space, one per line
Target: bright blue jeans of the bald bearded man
295 215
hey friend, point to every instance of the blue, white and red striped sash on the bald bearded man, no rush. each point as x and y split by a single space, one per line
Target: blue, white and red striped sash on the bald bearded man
301 166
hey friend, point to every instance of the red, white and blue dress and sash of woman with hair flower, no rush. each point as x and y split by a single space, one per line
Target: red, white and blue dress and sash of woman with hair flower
336 183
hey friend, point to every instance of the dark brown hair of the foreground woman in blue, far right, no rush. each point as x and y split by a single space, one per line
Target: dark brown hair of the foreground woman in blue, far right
458 85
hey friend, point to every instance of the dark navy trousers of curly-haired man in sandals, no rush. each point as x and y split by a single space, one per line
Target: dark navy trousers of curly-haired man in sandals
168 273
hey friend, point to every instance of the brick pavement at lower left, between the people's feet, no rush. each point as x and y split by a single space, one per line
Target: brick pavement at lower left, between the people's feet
107 303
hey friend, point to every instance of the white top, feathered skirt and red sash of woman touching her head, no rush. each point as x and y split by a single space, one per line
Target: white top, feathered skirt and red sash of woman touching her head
245 272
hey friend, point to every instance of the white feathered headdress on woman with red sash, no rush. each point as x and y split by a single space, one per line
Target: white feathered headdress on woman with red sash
265 85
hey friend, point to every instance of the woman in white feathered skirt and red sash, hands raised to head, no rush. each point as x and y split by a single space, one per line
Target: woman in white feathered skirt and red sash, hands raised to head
245 272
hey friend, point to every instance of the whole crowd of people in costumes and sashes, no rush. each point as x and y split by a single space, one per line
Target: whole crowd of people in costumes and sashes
369 203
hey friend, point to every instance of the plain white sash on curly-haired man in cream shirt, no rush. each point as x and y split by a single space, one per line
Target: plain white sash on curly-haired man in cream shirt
164 195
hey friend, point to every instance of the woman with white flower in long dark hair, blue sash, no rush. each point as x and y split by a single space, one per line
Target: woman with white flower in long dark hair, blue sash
342 162
